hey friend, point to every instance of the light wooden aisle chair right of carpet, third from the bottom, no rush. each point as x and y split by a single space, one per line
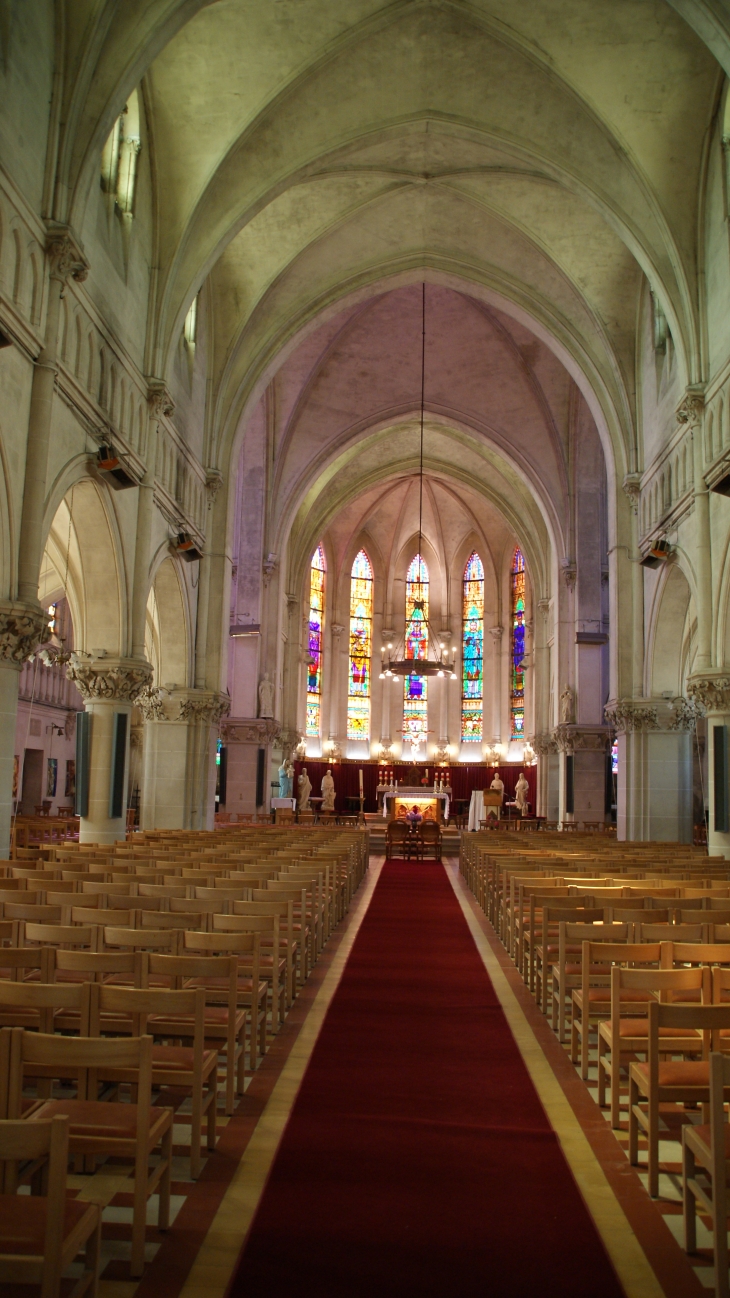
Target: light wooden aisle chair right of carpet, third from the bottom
624 1035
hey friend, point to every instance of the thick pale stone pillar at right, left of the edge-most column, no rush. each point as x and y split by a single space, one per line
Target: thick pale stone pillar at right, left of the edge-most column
655 770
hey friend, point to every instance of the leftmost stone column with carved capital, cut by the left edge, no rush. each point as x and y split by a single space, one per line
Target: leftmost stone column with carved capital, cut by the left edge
21 630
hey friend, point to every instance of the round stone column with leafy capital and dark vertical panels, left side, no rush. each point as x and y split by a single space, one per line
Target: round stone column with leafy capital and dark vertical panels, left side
107 686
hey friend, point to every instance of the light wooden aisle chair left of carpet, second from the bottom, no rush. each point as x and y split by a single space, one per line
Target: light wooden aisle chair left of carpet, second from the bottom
103 1127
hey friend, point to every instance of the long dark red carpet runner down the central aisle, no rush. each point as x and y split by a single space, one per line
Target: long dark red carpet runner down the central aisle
419 1160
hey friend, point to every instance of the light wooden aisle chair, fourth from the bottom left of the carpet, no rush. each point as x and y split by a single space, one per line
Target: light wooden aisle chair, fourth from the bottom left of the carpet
225 1023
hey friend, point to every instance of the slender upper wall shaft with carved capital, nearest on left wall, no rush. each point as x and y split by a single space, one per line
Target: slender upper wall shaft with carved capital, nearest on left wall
66 260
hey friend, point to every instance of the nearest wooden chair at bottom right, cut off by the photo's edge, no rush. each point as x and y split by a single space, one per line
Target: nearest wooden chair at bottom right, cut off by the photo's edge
709 1148
